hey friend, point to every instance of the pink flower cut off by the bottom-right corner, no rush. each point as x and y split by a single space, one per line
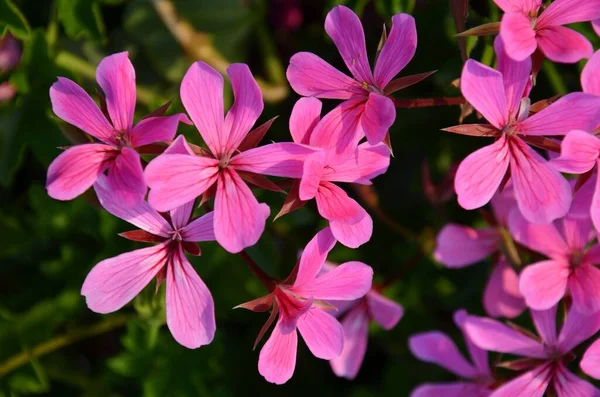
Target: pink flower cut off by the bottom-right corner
546 359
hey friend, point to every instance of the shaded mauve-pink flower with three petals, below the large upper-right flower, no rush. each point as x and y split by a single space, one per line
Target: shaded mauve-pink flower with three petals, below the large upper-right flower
459 246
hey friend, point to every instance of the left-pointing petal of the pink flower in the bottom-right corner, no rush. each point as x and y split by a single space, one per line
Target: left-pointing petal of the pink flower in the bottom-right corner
492 335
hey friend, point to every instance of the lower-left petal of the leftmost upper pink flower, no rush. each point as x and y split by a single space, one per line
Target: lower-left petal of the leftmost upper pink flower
76 169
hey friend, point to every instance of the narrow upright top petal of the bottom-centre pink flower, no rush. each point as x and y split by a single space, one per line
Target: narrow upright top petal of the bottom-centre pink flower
313 257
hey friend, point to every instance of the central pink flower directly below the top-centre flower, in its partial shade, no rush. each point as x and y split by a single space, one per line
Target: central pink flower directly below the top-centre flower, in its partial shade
350 224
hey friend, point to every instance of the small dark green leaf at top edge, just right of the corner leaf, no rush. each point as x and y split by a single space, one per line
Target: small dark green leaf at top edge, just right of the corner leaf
81 19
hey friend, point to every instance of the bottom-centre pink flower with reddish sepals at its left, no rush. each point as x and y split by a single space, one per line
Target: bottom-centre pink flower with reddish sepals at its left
300 306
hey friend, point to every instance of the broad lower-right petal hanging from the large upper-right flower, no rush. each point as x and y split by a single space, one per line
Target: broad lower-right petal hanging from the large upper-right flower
542 193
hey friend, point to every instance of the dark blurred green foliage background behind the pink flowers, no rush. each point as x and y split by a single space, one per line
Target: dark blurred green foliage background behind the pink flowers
47 247
